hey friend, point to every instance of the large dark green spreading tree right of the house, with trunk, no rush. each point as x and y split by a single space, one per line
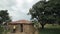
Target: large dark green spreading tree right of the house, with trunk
46 11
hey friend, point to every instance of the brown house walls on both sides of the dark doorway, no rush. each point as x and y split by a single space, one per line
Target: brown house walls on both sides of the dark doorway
27 29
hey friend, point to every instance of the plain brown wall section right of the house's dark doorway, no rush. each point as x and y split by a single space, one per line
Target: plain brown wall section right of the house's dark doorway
28 29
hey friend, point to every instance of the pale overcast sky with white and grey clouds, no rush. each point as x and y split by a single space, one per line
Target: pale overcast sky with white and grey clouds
17 9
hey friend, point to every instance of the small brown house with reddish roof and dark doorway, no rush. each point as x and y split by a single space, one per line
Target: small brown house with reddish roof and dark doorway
22 27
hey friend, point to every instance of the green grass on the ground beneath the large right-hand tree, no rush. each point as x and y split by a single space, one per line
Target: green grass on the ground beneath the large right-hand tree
49 29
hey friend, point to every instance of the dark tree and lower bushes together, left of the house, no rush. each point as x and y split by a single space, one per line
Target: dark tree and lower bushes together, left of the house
4 18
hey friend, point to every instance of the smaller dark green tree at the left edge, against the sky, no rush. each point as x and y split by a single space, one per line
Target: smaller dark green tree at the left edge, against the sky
4 16
